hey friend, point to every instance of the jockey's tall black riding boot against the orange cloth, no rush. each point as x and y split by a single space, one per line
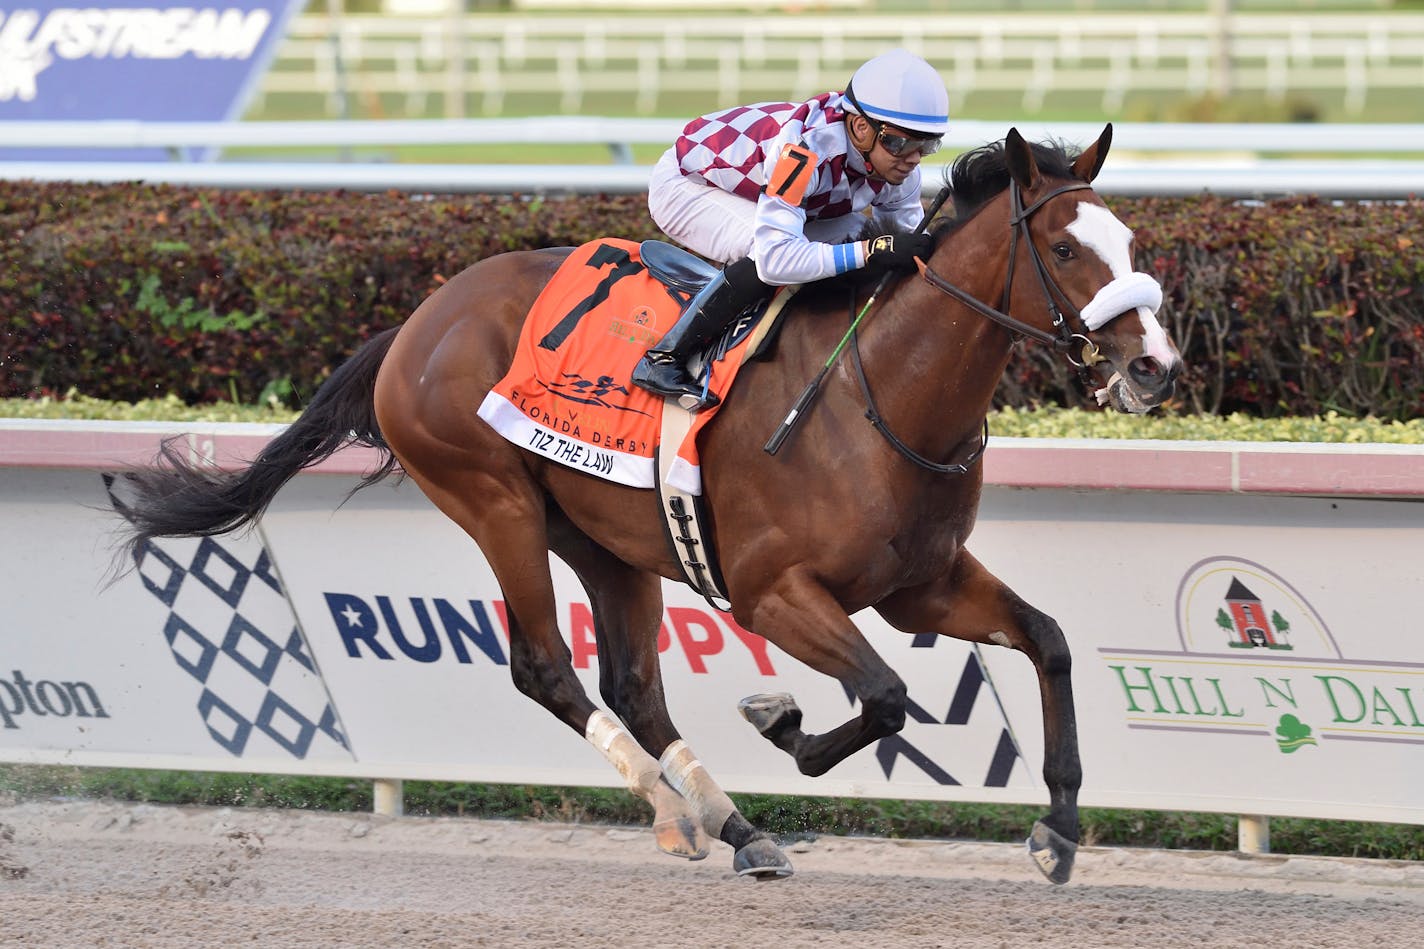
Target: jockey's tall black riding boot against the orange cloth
664 368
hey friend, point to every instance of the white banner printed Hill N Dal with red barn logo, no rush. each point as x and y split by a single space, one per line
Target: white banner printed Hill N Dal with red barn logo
1242 655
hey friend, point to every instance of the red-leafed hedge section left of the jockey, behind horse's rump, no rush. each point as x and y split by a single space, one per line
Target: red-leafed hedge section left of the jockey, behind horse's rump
130 291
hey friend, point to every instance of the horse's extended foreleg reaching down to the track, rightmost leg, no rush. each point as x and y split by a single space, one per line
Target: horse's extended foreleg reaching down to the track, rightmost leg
973 605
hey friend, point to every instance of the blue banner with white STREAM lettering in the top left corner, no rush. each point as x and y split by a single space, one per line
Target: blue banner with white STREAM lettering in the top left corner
130 62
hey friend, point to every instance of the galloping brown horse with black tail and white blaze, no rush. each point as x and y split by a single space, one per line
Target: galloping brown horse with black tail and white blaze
845 517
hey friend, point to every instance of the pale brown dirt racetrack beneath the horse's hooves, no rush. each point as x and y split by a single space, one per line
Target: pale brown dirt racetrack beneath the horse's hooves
83 874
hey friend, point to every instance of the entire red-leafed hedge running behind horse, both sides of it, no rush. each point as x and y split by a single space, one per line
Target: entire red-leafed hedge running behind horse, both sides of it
1291 307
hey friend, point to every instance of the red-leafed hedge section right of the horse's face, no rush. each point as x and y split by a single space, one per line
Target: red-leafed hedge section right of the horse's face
1289 307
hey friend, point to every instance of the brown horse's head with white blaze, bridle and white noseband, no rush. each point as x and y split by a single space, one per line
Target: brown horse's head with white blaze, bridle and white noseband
1070 280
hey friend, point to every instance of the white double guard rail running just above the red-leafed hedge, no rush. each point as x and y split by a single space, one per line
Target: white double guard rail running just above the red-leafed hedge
1147 157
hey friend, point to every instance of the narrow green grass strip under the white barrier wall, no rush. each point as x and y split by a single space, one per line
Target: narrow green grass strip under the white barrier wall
785 817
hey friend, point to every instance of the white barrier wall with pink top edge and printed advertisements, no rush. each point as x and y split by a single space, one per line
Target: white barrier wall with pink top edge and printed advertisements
1242 619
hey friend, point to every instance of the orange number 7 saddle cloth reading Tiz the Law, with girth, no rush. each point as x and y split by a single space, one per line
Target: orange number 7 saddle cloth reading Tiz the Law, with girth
567 395
